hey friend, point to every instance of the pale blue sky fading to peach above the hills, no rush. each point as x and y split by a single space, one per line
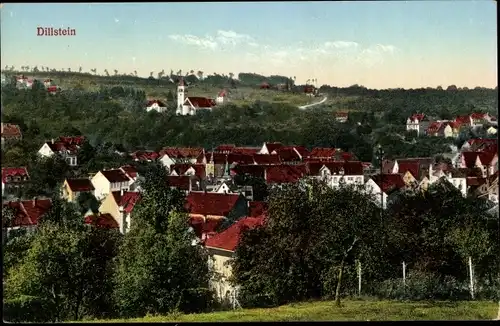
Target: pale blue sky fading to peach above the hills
393 44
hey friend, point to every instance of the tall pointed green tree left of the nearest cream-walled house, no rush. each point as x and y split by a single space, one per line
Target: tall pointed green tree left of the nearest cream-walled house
169 273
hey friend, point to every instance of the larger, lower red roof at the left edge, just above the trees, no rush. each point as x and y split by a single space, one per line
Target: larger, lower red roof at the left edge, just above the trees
27 212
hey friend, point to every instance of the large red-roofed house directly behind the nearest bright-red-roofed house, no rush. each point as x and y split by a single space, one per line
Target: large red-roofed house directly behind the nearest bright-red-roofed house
208 209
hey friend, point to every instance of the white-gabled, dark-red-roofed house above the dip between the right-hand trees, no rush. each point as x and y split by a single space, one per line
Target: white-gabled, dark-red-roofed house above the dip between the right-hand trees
382 186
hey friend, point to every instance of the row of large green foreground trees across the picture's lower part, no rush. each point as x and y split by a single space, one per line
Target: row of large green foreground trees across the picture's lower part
312 245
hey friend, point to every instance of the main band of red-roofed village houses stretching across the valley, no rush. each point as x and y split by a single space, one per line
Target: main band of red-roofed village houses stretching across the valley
212 195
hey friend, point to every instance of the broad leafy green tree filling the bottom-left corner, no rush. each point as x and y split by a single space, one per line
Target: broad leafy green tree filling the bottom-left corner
66 268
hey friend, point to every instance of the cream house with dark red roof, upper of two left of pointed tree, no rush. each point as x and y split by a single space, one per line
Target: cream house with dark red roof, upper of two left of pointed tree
107 181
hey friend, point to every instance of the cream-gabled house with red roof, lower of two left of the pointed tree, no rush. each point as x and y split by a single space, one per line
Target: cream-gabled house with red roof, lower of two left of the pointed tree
120 205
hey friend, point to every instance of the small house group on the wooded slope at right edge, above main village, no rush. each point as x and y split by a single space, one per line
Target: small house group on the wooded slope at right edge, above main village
423 125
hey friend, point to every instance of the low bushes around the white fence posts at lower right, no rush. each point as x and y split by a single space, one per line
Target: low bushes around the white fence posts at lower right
423 286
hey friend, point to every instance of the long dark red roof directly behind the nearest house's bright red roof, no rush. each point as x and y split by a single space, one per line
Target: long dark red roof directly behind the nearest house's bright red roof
211 203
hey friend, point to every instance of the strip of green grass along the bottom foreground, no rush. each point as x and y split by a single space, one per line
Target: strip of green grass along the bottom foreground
350 311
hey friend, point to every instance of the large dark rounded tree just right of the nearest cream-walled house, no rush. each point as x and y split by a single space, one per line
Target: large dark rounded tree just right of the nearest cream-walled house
301 260
